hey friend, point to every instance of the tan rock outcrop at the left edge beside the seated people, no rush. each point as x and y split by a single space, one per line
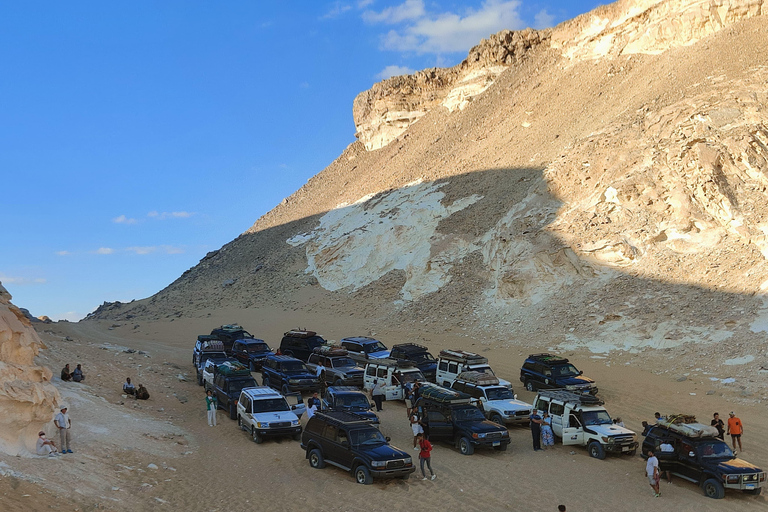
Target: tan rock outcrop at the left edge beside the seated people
27 397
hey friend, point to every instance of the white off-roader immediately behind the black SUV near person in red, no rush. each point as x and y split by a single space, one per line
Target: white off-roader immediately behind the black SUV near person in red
499 403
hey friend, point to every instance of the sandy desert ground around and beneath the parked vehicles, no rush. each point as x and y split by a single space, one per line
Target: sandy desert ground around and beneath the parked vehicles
211 469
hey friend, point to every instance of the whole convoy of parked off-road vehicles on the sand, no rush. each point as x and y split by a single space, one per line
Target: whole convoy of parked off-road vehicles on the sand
459 400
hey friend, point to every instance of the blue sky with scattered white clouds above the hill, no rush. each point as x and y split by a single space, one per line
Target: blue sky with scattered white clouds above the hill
137 136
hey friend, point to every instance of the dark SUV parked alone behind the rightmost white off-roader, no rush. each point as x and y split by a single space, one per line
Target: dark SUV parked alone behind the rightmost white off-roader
547 371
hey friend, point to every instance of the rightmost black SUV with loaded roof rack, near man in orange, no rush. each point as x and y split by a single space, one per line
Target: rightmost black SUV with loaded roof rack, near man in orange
704 460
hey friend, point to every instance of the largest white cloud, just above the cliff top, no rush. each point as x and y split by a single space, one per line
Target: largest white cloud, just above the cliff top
451 32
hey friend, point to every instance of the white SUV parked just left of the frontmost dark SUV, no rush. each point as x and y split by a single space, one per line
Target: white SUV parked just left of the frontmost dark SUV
262 412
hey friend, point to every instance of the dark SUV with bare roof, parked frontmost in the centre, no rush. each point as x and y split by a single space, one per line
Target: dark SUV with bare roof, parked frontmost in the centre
350 442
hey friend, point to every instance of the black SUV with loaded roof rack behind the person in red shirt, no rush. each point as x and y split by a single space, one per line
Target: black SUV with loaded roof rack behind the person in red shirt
449 416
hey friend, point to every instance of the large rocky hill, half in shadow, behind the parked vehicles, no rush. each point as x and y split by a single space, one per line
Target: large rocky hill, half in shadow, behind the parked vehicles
604 188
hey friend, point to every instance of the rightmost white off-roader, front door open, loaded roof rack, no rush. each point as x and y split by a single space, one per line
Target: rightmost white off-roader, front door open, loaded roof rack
581 420
